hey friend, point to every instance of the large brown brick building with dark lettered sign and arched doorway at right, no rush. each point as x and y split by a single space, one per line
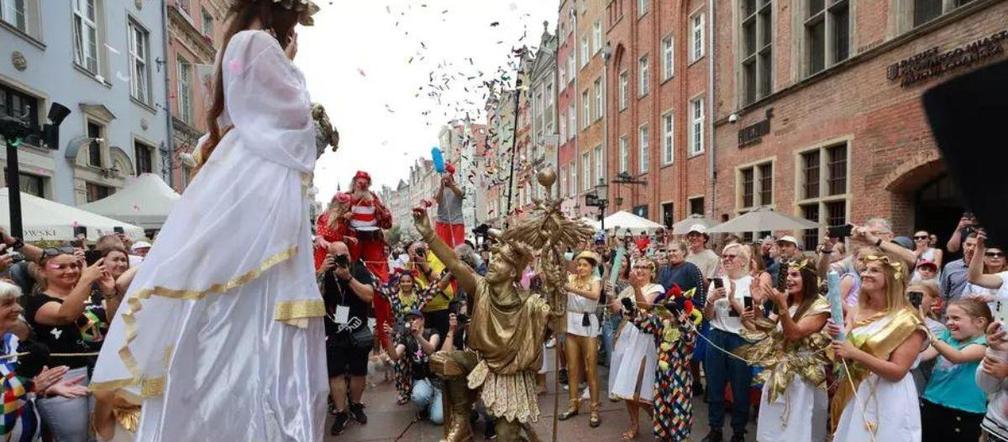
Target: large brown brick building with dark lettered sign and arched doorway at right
818 107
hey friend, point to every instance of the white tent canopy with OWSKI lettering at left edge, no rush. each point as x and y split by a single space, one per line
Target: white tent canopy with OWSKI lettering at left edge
46 220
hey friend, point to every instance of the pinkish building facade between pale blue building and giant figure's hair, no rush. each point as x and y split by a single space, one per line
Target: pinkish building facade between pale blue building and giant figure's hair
196 30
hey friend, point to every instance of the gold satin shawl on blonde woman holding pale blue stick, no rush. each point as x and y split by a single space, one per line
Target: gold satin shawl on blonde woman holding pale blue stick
880 343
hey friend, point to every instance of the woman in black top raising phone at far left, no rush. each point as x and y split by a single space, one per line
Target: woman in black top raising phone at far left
67 318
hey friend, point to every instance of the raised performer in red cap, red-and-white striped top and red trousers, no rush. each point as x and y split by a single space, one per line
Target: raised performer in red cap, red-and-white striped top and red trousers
368 216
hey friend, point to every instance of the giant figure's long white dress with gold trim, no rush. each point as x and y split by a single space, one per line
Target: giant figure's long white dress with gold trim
220 337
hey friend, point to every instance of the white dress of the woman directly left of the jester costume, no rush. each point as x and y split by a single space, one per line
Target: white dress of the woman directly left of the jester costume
633 351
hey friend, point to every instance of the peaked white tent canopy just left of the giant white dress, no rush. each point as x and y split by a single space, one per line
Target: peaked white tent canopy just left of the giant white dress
146 201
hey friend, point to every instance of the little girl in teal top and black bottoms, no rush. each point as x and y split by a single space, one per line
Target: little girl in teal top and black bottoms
953 406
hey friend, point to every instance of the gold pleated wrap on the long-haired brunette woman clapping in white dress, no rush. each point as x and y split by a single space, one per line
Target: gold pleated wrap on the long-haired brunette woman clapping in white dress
783 360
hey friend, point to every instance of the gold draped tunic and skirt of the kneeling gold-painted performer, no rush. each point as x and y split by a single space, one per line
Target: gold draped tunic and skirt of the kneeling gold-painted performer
509 340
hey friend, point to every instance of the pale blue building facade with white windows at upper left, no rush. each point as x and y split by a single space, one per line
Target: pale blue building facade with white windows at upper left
106 62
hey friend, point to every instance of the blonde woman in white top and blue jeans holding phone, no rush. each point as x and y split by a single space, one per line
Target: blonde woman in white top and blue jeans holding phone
724 310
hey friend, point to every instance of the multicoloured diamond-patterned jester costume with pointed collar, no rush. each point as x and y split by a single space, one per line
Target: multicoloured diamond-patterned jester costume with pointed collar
673 377
